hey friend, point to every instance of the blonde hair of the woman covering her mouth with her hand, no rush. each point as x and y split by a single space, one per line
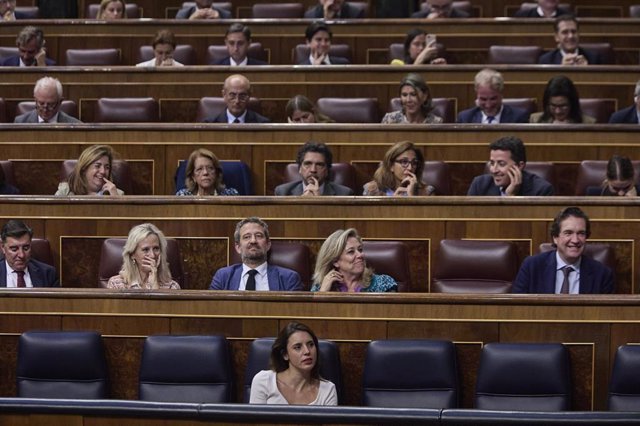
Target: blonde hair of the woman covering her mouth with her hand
130 272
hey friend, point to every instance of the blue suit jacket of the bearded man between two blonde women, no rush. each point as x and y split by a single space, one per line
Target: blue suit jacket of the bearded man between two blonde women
280 279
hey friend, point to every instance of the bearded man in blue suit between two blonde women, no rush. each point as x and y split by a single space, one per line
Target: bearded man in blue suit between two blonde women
254 273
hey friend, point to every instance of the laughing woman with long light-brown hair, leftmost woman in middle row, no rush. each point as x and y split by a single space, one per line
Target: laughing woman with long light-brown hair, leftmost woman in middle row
92 174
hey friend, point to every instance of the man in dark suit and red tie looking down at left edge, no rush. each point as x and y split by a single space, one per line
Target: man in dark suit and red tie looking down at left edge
18 269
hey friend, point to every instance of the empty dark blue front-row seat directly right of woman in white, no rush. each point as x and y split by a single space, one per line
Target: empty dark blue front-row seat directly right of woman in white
410 374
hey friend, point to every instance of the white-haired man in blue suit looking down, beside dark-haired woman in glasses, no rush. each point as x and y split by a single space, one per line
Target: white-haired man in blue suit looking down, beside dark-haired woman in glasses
489 108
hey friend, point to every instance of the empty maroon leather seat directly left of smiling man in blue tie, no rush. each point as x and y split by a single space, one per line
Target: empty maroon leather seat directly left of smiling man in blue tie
469 266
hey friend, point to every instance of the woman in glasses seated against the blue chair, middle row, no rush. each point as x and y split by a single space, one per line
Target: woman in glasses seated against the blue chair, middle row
204 175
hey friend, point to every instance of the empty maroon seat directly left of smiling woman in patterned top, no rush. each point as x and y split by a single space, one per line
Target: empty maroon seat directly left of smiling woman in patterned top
350 110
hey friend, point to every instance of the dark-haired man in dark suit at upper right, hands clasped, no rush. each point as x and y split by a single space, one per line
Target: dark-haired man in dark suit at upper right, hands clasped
568 52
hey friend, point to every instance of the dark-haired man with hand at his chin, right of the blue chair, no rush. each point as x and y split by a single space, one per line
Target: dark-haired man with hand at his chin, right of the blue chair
314 165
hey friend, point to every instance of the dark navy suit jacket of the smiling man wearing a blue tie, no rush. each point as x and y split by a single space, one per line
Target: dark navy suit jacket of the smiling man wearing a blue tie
538 275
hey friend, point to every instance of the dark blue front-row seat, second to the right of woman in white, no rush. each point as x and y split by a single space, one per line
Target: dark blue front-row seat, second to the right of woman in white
524 377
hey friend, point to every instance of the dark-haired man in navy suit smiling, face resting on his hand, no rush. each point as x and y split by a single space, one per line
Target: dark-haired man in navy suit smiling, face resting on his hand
507 176
